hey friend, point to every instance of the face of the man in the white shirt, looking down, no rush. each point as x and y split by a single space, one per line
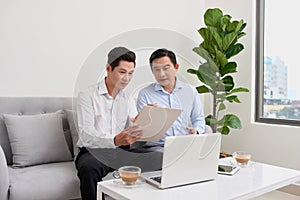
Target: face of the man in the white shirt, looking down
121 75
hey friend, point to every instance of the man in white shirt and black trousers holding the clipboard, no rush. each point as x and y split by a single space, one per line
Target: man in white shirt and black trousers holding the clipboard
103 112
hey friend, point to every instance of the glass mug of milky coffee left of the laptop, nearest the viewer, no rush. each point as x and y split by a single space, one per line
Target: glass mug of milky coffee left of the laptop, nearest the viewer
128 174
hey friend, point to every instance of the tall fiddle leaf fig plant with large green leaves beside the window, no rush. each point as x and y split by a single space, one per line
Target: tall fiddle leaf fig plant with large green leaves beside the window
220 44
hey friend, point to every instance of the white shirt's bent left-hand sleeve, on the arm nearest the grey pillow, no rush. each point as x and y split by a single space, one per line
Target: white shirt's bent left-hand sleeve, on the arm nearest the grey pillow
88 136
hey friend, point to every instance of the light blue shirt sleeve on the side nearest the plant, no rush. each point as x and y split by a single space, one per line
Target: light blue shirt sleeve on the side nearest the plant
197 114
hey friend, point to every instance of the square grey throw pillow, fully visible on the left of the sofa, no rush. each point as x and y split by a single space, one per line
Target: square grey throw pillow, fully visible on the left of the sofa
37 139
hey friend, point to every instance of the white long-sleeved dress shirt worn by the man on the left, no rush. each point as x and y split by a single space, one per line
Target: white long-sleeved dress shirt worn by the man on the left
100 117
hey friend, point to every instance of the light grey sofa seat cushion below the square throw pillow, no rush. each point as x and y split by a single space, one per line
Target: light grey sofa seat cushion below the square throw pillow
54 181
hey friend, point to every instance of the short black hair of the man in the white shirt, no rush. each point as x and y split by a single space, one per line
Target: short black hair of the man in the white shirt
120 53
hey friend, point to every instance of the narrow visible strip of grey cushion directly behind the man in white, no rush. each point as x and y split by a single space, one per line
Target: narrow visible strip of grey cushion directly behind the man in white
72 119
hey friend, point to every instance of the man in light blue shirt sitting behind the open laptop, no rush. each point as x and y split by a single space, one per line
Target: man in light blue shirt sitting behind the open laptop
170 92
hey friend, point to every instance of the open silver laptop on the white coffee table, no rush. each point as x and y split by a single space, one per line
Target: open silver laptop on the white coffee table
187 159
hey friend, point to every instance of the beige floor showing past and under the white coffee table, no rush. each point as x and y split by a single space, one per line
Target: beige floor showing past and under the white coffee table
290 192
